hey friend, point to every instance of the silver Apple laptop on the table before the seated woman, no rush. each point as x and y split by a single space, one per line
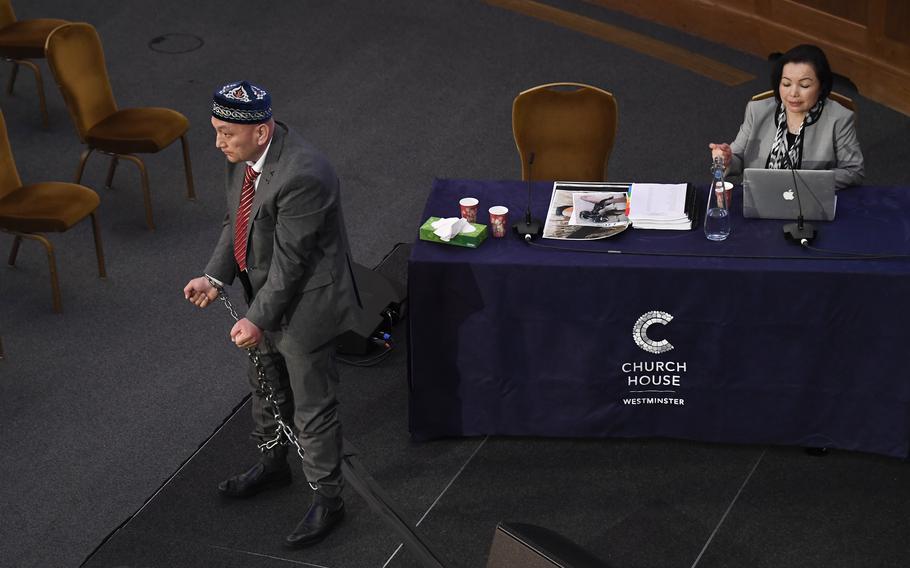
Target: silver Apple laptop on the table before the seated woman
770 194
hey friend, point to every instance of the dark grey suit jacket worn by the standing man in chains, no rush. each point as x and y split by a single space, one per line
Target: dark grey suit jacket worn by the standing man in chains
298 260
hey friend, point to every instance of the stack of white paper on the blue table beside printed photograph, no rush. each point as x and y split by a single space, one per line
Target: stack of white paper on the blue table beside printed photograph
662 206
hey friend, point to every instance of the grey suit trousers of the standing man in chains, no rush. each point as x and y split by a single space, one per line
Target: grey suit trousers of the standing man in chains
314 417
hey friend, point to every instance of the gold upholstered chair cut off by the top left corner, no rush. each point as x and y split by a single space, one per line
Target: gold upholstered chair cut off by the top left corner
21 41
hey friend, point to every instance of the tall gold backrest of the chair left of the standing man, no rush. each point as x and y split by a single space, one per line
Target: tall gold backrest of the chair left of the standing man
76 58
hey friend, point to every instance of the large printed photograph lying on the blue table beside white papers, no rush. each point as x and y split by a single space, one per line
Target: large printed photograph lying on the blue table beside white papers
586 211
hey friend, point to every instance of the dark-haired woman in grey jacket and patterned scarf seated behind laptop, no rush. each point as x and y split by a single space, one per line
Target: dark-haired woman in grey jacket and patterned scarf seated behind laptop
799 126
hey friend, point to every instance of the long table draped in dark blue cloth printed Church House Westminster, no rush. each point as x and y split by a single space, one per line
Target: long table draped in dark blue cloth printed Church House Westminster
664 333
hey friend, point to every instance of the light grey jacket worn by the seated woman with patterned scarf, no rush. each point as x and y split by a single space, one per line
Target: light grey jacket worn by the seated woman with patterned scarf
829 144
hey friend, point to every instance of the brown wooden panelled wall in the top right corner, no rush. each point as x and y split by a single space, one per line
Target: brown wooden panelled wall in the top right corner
867 42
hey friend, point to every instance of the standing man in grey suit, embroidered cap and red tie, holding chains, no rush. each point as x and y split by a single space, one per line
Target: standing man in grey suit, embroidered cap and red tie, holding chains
284 239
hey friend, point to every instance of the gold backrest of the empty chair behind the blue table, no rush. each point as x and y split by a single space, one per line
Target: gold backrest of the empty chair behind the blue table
570 128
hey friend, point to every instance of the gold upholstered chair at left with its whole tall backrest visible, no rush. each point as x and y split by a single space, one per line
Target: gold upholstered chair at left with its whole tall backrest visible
76 58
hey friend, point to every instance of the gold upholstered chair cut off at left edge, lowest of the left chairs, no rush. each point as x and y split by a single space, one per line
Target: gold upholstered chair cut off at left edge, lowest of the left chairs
30 210
